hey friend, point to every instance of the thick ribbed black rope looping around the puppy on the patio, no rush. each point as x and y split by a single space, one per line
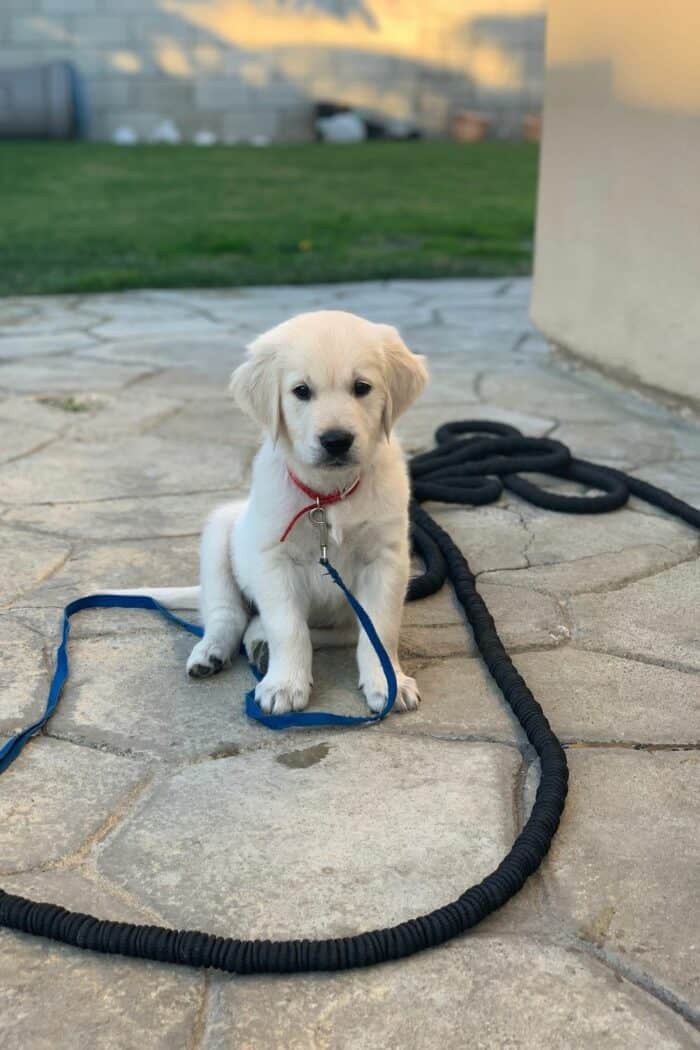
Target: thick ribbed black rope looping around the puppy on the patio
463 471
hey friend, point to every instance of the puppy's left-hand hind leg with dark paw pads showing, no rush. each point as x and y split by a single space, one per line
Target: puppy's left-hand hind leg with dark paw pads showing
222 604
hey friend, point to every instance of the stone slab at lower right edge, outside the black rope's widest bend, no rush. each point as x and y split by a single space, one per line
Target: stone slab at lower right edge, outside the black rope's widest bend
610 871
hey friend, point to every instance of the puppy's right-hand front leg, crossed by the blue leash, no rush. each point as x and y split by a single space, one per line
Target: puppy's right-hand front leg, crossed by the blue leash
383 590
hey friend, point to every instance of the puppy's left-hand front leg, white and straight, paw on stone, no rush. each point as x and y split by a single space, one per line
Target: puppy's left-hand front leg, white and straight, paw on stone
284 626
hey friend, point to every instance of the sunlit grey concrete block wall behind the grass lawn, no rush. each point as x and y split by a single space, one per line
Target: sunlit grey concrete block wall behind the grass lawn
244 68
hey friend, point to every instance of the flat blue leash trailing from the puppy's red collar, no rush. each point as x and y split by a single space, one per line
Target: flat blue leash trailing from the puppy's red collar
301 720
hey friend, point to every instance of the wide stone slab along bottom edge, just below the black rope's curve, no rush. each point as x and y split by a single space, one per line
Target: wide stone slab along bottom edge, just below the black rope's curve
479 992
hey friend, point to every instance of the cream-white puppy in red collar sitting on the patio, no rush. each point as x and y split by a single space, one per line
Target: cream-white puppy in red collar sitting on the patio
327 388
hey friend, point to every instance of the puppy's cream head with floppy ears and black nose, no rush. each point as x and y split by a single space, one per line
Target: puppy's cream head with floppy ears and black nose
329 387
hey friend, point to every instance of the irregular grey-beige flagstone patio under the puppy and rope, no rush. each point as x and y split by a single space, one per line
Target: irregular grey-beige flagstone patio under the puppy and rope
153 800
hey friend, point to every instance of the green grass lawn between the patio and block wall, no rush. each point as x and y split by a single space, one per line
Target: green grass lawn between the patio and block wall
83 218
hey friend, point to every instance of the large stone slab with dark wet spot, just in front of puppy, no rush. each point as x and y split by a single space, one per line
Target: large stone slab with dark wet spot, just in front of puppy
351 830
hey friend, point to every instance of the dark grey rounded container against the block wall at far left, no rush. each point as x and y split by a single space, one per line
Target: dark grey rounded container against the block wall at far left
43 102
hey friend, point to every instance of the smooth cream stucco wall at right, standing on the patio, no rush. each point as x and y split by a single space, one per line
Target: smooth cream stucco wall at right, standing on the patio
618 255
